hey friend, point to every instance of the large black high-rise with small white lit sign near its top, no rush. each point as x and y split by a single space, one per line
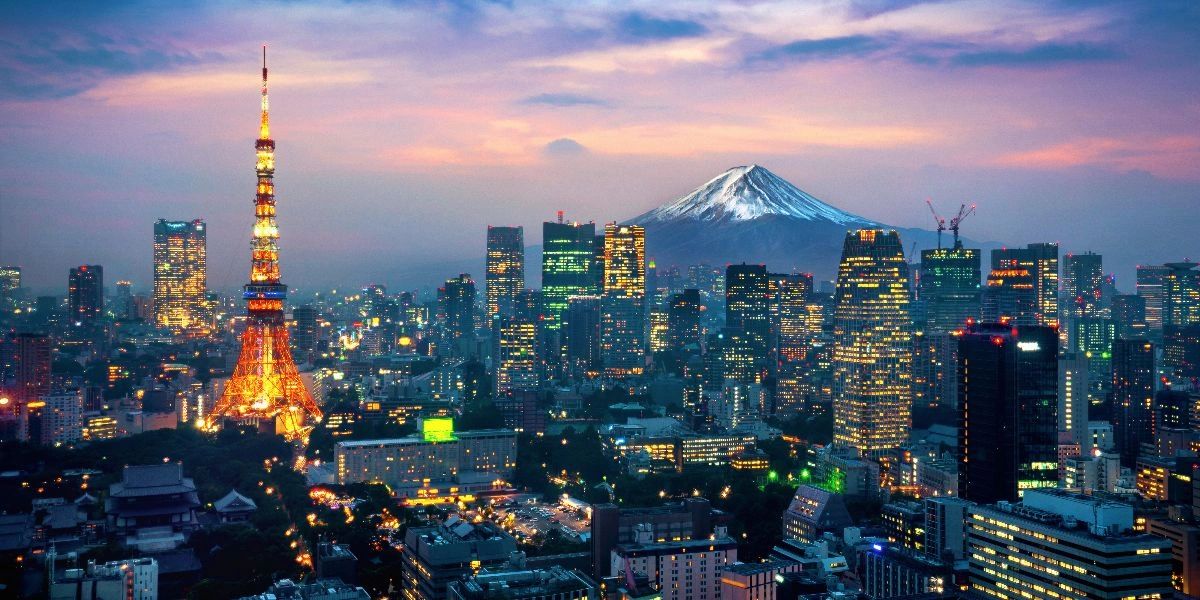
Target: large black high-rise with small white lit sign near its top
1009 411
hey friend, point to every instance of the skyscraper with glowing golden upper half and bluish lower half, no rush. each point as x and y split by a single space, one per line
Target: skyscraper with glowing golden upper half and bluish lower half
623 302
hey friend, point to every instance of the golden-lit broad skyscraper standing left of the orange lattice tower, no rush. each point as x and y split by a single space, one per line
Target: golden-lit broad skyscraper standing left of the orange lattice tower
181 274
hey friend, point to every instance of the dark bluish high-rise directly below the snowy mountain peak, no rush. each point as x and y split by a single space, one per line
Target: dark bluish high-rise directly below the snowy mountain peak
748 309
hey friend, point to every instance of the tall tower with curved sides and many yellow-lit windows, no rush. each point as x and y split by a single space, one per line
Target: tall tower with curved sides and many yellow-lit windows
873 344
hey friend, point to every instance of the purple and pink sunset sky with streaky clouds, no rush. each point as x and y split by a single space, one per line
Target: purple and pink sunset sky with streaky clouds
404 129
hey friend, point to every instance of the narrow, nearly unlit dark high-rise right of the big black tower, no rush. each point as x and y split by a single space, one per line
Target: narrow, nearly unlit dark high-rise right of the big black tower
1133 397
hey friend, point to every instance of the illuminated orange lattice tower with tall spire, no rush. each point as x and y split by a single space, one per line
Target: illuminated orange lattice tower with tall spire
266 386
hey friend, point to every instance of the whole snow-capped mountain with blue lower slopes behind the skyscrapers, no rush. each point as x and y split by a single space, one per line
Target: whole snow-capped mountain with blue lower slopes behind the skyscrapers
751 215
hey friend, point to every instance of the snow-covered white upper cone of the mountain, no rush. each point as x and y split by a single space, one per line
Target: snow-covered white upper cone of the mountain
749 193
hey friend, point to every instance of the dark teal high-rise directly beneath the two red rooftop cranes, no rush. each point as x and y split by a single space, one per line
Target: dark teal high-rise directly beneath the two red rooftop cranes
950 287
